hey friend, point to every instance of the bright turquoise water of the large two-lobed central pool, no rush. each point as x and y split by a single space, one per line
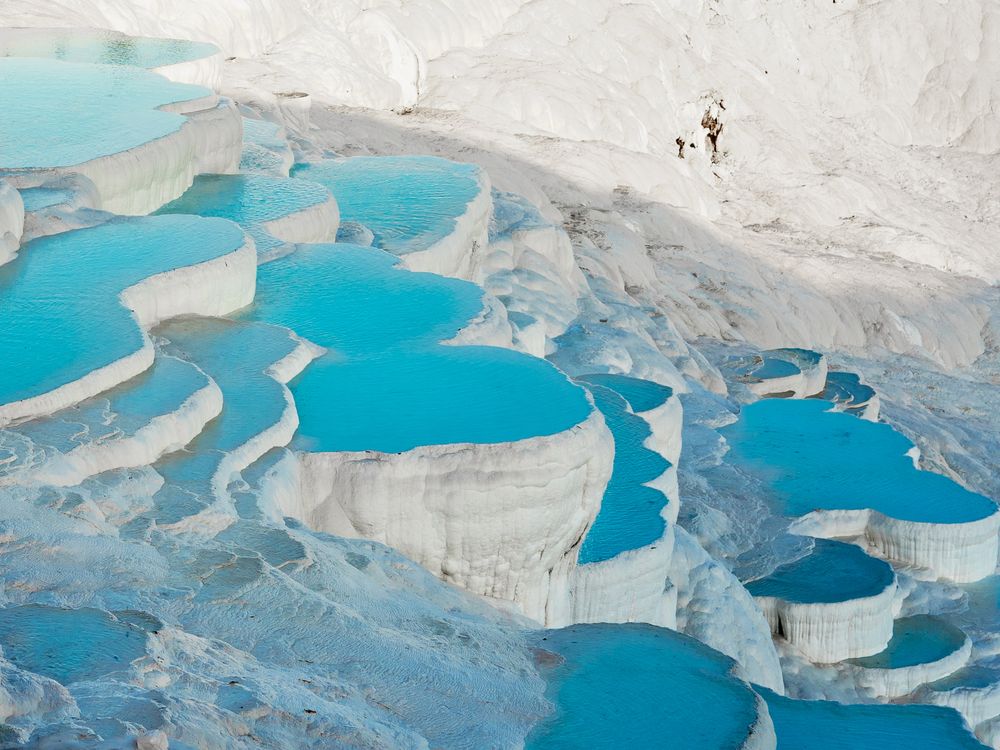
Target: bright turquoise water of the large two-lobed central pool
387 384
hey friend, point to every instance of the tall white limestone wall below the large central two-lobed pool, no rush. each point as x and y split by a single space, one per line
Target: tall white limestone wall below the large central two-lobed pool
504 520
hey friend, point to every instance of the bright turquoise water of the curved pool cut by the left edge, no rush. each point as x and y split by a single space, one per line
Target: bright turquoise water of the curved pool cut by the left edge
60 296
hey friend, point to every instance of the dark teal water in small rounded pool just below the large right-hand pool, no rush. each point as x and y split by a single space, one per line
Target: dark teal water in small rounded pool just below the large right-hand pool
833 572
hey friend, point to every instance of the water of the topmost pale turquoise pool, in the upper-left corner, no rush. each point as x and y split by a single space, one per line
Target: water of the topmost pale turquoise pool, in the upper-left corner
100 46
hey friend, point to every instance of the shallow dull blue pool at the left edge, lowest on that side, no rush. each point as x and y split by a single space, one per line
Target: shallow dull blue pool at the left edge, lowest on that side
69 645
